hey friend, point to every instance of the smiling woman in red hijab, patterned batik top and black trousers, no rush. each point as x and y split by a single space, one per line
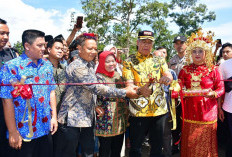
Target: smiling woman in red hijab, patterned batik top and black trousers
111 126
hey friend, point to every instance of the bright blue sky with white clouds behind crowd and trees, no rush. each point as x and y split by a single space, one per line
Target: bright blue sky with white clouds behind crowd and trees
54 17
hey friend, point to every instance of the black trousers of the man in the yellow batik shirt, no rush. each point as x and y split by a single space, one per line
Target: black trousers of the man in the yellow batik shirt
155 126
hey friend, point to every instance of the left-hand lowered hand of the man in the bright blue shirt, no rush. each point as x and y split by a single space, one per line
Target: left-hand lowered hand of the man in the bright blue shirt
15 139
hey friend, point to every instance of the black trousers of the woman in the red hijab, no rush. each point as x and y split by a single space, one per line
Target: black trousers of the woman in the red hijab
110 146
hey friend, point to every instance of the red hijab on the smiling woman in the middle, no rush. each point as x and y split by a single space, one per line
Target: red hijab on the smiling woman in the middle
101 66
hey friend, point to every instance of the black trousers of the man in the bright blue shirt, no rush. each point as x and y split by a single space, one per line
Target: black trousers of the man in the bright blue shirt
40 147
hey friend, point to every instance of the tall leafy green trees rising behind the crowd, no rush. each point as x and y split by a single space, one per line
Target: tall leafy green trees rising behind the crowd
118 21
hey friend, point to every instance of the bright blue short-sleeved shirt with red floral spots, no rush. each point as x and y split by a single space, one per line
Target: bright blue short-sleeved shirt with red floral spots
41 73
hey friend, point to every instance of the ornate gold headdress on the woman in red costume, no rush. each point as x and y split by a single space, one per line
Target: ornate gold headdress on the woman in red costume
204 42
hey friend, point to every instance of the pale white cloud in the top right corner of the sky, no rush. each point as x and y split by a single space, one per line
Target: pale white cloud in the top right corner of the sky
217 4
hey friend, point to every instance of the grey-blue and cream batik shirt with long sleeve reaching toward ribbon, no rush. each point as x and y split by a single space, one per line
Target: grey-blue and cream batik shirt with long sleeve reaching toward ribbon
77 108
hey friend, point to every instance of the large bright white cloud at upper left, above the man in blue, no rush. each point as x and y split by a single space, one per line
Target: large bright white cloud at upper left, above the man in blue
21 16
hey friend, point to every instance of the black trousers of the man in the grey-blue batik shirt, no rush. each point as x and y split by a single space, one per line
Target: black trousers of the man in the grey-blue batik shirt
67 138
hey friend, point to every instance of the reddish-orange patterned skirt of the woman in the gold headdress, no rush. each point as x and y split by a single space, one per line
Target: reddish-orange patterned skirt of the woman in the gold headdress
199 140
